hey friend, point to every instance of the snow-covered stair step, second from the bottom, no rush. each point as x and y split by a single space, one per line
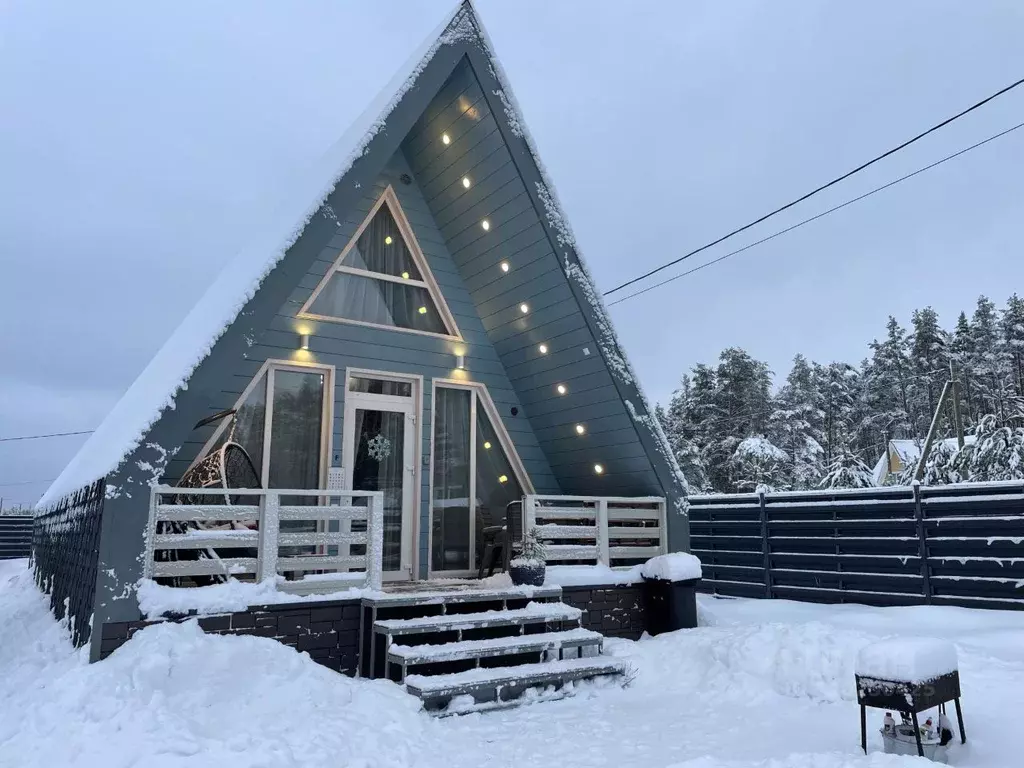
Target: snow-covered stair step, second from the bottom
499 647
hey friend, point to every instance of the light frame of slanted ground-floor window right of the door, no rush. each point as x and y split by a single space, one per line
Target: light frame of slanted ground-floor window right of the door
480 395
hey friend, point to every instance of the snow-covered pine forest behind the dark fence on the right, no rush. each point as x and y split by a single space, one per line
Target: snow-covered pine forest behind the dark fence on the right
826 425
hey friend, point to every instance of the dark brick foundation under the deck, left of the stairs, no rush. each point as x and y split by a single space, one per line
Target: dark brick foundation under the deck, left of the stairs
329 631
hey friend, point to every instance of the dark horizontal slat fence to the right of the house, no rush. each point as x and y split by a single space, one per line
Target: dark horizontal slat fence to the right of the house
953 545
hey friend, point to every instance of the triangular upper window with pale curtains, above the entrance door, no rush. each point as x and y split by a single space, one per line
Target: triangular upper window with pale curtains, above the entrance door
381 279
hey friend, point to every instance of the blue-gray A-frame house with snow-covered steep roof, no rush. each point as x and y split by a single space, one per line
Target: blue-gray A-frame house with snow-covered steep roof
417 321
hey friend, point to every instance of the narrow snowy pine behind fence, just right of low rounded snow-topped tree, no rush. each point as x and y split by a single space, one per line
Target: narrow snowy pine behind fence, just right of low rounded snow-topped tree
796 425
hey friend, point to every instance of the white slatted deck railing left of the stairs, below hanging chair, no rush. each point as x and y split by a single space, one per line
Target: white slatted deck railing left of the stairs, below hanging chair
316 560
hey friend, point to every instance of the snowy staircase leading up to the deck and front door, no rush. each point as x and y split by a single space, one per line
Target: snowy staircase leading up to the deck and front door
474 650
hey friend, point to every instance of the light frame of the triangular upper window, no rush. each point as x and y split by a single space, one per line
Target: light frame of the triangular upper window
391 199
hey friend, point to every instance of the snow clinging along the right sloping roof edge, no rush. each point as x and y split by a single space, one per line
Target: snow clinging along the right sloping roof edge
613 351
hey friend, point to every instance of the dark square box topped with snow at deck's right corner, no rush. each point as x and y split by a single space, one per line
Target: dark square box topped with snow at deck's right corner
670 589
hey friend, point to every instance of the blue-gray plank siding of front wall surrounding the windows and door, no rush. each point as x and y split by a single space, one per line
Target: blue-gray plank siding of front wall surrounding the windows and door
347 346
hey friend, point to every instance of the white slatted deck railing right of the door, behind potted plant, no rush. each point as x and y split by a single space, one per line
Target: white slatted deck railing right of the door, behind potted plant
605 531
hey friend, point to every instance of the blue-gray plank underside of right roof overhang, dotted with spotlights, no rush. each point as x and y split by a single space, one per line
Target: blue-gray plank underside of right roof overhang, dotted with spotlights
498 194
